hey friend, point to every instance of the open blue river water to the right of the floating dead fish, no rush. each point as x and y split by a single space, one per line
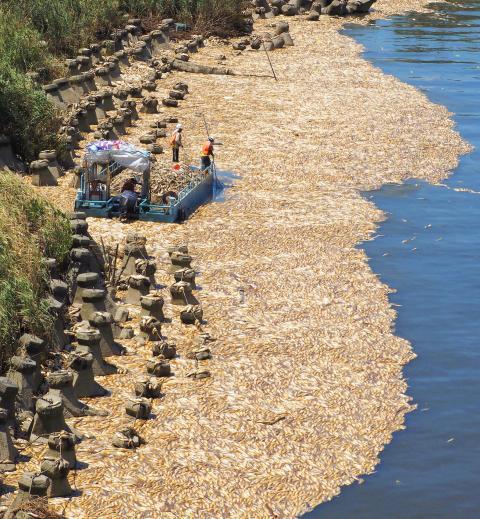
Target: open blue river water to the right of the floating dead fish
428 250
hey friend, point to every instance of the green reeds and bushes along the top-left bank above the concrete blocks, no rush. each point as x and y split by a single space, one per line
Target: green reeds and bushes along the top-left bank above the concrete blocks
39 34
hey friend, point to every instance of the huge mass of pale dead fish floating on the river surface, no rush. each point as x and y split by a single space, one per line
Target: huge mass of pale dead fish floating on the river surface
312 341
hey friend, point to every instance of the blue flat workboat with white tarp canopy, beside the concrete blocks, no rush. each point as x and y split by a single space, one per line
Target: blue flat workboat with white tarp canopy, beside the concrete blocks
105 159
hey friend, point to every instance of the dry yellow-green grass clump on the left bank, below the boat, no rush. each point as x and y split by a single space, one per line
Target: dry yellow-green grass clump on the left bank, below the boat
30 230
